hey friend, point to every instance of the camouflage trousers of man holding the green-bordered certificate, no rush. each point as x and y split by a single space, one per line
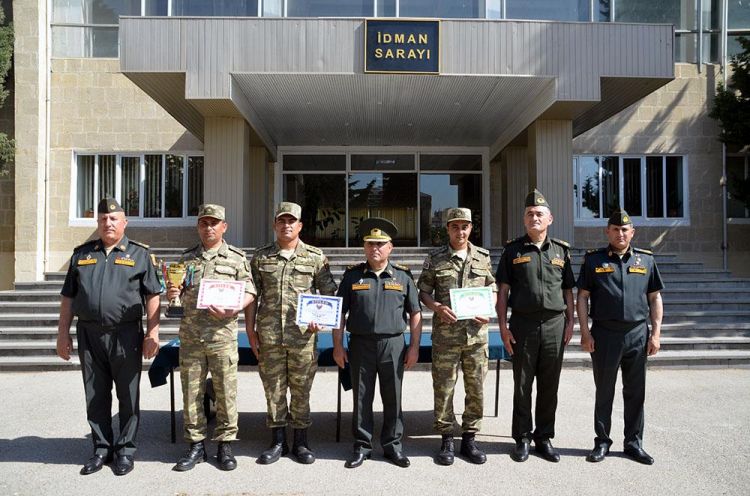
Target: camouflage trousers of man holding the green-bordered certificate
473 360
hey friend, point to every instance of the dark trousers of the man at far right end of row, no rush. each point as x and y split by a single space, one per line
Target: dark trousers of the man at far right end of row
625 346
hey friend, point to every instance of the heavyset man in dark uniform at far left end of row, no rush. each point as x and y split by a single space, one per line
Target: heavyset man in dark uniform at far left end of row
109 282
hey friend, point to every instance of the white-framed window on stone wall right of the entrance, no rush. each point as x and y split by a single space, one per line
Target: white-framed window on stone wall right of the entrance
646 186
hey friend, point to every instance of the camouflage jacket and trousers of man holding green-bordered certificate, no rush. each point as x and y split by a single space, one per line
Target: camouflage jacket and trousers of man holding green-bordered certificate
464 342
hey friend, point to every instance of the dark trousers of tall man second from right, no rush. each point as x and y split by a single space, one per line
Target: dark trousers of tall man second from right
537 354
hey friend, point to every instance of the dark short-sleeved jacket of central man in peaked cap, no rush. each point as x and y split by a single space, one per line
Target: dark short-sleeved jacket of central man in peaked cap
378 304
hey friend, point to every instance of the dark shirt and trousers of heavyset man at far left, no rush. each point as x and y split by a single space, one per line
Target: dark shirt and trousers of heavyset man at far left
108 293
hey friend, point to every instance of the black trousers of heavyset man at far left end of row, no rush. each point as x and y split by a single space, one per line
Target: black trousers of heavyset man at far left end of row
111 355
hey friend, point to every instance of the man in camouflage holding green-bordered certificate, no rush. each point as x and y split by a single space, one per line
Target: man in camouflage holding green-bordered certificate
459 264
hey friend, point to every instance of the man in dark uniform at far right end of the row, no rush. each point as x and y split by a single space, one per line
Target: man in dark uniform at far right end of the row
623 284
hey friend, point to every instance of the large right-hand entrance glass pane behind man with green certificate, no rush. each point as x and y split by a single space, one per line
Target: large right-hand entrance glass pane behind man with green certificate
438 192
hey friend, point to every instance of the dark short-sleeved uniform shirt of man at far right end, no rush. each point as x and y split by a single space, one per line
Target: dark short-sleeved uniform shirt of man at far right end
619 287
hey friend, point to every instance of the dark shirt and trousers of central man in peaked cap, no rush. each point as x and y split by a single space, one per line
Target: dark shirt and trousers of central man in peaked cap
379 309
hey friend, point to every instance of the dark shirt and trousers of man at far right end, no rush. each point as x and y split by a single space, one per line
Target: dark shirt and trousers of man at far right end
619 288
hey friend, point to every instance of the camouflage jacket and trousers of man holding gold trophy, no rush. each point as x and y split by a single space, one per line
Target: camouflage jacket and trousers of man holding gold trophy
210 344
